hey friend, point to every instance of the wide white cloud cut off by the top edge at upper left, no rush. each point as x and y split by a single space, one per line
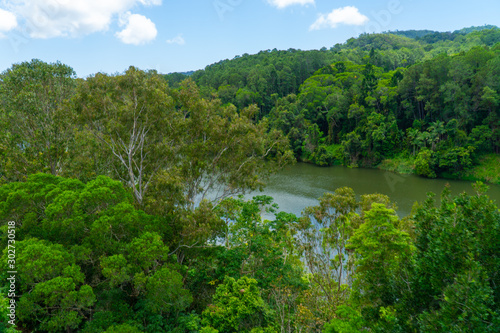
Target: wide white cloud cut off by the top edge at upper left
70 18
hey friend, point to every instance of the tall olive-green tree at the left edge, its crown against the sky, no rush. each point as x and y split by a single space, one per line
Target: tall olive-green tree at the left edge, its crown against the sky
32 108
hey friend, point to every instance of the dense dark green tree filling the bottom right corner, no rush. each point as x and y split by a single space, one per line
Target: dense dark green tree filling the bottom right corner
457 266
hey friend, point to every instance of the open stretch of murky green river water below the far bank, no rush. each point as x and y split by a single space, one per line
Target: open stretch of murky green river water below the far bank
300 185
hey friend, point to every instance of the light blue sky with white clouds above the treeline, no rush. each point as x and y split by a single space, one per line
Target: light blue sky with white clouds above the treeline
108 36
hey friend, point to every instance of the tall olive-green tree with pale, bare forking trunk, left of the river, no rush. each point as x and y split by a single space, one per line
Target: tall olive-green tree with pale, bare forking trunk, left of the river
133 117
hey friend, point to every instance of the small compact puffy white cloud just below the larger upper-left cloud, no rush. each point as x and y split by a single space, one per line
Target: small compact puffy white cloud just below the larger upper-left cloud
138 29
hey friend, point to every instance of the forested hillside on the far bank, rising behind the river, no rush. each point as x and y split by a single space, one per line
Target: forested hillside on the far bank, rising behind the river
427 105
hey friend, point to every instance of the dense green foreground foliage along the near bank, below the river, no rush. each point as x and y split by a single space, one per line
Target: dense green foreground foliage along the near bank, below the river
89 260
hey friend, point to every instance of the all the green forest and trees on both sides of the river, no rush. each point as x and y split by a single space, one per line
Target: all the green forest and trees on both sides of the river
119 194
